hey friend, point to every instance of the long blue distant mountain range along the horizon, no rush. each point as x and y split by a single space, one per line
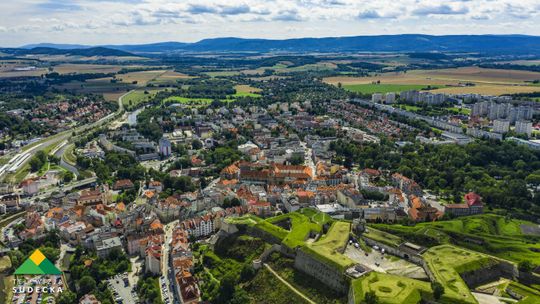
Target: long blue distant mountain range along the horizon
488 44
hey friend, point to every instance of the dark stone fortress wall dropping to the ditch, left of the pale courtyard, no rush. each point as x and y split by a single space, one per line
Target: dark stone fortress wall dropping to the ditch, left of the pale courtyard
330 276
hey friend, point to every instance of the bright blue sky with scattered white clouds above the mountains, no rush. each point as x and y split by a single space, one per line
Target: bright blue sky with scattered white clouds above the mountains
96 22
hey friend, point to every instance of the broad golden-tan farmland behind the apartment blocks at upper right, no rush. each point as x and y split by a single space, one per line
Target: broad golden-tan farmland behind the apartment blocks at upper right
485 81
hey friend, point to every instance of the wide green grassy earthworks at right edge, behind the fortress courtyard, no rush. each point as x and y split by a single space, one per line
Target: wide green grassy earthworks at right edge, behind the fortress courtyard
500 237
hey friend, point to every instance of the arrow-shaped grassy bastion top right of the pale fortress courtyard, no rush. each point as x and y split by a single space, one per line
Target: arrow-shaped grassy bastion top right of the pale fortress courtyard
446 262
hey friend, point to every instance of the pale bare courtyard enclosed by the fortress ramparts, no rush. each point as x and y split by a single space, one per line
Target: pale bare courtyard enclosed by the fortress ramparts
386 263
